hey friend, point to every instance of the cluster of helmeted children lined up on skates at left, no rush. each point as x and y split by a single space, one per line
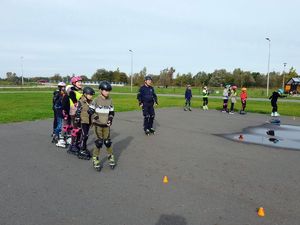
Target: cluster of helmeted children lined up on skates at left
75 112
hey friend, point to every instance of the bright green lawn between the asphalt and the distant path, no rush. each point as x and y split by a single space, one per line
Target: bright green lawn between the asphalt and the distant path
16 107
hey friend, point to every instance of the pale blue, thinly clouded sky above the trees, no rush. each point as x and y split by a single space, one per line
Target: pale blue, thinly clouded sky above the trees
80 36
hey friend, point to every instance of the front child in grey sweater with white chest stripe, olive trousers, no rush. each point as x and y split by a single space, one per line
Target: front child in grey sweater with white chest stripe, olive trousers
102 113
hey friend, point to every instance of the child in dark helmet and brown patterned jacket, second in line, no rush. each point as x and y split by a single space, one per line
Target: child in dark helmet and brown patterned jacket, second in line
82 117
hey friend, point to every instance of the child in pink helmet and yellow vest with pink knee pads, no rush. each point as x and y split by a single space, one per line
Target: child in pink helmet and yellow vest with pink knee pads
74 93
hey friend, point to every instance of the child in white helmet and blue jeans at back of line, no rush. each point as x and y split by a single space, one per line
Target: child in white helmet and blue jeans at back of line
57 107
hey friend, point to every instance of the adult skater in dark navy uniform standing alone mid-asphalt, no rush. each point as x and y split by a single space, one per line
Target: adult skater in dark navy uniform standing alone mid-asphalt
147 97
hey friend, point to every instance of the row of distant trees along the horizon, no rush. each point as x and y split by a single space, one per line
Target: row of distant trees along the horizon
167 77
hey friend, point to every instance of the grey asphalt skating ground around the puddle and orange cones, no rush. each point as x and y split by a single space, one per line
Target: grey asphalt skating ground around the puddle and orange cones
212 180
